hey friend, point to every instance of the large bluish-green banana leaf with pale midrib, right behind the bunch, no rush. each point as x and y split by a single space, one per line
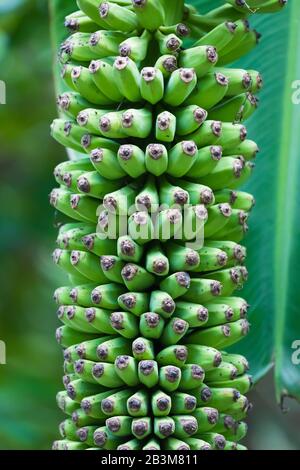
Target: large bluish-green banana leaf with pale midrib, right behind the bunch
273 289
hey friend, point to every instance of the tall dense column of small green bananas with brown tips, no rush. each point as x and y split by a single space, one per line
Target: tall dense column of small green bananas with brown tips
151 220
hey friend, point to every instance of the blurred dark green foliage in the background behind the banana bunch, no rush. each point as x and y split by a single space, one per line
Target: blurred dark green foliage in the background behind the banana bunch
31 377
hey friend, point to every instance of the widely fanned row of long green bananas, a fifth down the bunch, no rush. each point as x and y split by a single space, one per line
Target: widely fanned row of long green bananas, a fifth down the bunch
192 82
